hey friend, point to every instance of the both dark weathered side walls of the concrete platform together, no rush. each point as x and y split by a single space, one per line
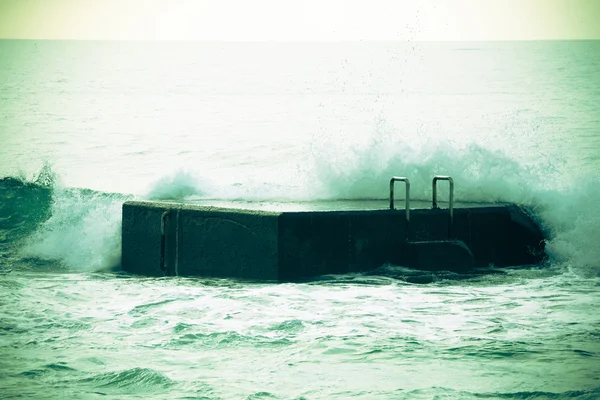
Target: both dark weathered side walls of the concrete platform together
288 246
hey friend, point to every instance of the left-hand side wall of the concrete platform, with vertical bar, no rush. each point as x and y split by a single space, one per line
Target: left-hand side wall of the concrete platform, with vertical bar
200 241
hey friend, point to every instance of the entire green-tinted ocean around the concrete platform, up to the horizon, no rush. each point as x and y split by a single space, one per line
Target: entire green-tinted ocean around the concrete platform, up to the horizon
85 126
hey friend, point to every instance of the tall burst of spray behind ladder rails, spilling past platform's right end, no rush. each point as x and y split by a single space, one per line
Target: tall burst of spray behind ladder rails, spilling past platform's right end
562 201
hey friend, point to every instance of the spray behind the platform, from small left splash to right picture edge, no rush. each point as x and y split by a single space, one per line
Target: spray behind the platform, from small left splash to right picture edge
560 201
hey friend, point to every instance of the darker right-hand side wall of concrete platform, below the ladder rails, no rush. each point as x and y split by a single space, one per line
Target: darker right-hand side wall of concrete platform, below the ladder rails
317 243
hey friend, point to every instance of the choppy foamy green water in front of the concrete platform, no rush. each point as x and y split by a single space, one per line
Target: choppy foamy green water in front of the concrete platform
523 335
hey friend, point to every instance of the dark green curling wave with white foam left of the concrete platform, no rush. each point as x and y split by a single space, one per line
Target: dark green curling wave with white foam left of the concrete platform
78 229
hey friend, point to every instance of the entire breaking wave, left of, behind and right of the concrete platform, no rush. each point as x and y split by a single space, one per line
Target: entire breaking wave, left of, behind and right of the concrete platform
80 228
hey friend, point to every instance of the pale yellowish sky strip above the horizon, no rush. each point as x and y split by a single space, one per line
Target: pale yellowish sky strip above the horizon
300 20
